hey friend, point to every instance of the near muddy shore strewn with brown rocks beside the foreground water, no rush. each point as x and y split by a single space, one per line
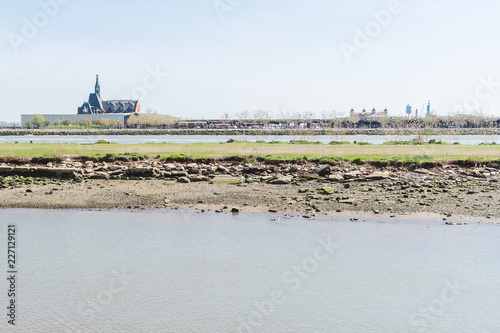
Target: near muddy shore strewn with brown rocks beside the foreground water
299 188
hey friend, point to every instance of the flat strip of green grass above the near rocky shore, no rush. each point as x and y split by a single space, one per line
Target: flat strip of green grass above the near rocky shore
251 151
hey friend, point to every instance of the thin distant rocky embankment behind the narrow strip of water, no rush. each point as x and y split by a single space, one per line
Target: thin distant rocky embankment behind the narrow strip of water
260 132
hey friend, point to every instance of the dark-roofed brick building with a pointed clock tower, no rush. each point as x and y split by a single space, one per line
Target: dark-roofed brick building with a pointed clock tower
96 105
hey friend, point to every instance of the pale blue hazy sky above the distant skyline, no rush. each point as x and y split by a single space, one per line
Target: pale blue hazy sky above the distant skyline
203 59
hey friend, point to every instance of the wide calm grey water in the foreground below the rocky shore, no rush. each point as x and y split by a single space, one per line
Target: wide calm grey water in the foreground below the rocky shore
119 271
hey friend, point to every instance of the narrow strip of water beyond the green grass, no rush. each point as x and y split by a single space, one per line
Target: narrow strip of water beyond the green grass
133 139
